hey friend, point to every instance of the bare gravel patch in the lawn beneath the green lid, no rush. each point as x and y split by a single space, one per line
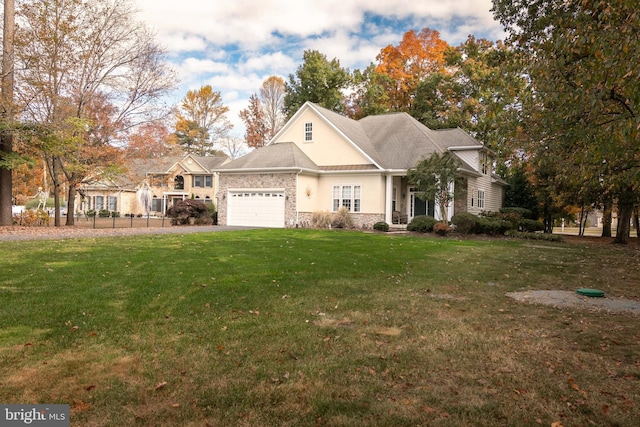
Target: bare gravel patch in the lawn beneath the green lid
571 299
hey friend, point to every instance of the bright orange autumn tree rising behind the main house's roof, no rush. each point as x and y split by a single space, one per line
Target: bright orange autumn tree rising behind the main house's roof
407 64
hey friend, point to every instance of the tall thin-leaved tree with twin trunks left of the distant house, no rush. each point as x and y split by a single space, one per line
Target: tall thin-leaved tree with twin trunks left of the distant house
89 73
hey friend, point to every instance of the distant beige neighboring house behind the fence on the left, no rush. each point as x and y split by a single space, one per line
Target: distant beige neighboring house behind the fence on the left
166 181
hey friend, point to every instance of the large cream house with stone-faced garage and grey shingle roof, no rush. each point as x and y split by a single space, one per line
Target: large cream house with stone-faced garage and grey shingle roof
321 161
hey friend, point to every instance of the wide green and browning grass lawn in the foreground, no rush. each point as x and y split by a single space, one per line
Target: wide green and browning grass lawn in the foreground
306 327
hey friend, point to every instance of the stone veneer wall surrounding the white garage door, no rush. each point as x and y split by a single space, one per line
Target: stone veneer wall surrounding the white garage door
257 181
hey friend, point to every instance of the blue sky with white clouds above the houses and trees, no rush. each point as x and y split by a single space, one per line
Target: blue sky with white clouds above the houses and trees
234 45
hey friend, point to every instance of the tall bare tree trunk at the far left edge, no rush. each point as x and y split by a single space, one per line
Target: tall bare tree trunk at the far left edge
6 139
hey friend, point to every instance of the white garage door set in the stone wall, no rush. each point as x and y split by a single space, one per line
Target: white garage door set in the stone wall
256 208
